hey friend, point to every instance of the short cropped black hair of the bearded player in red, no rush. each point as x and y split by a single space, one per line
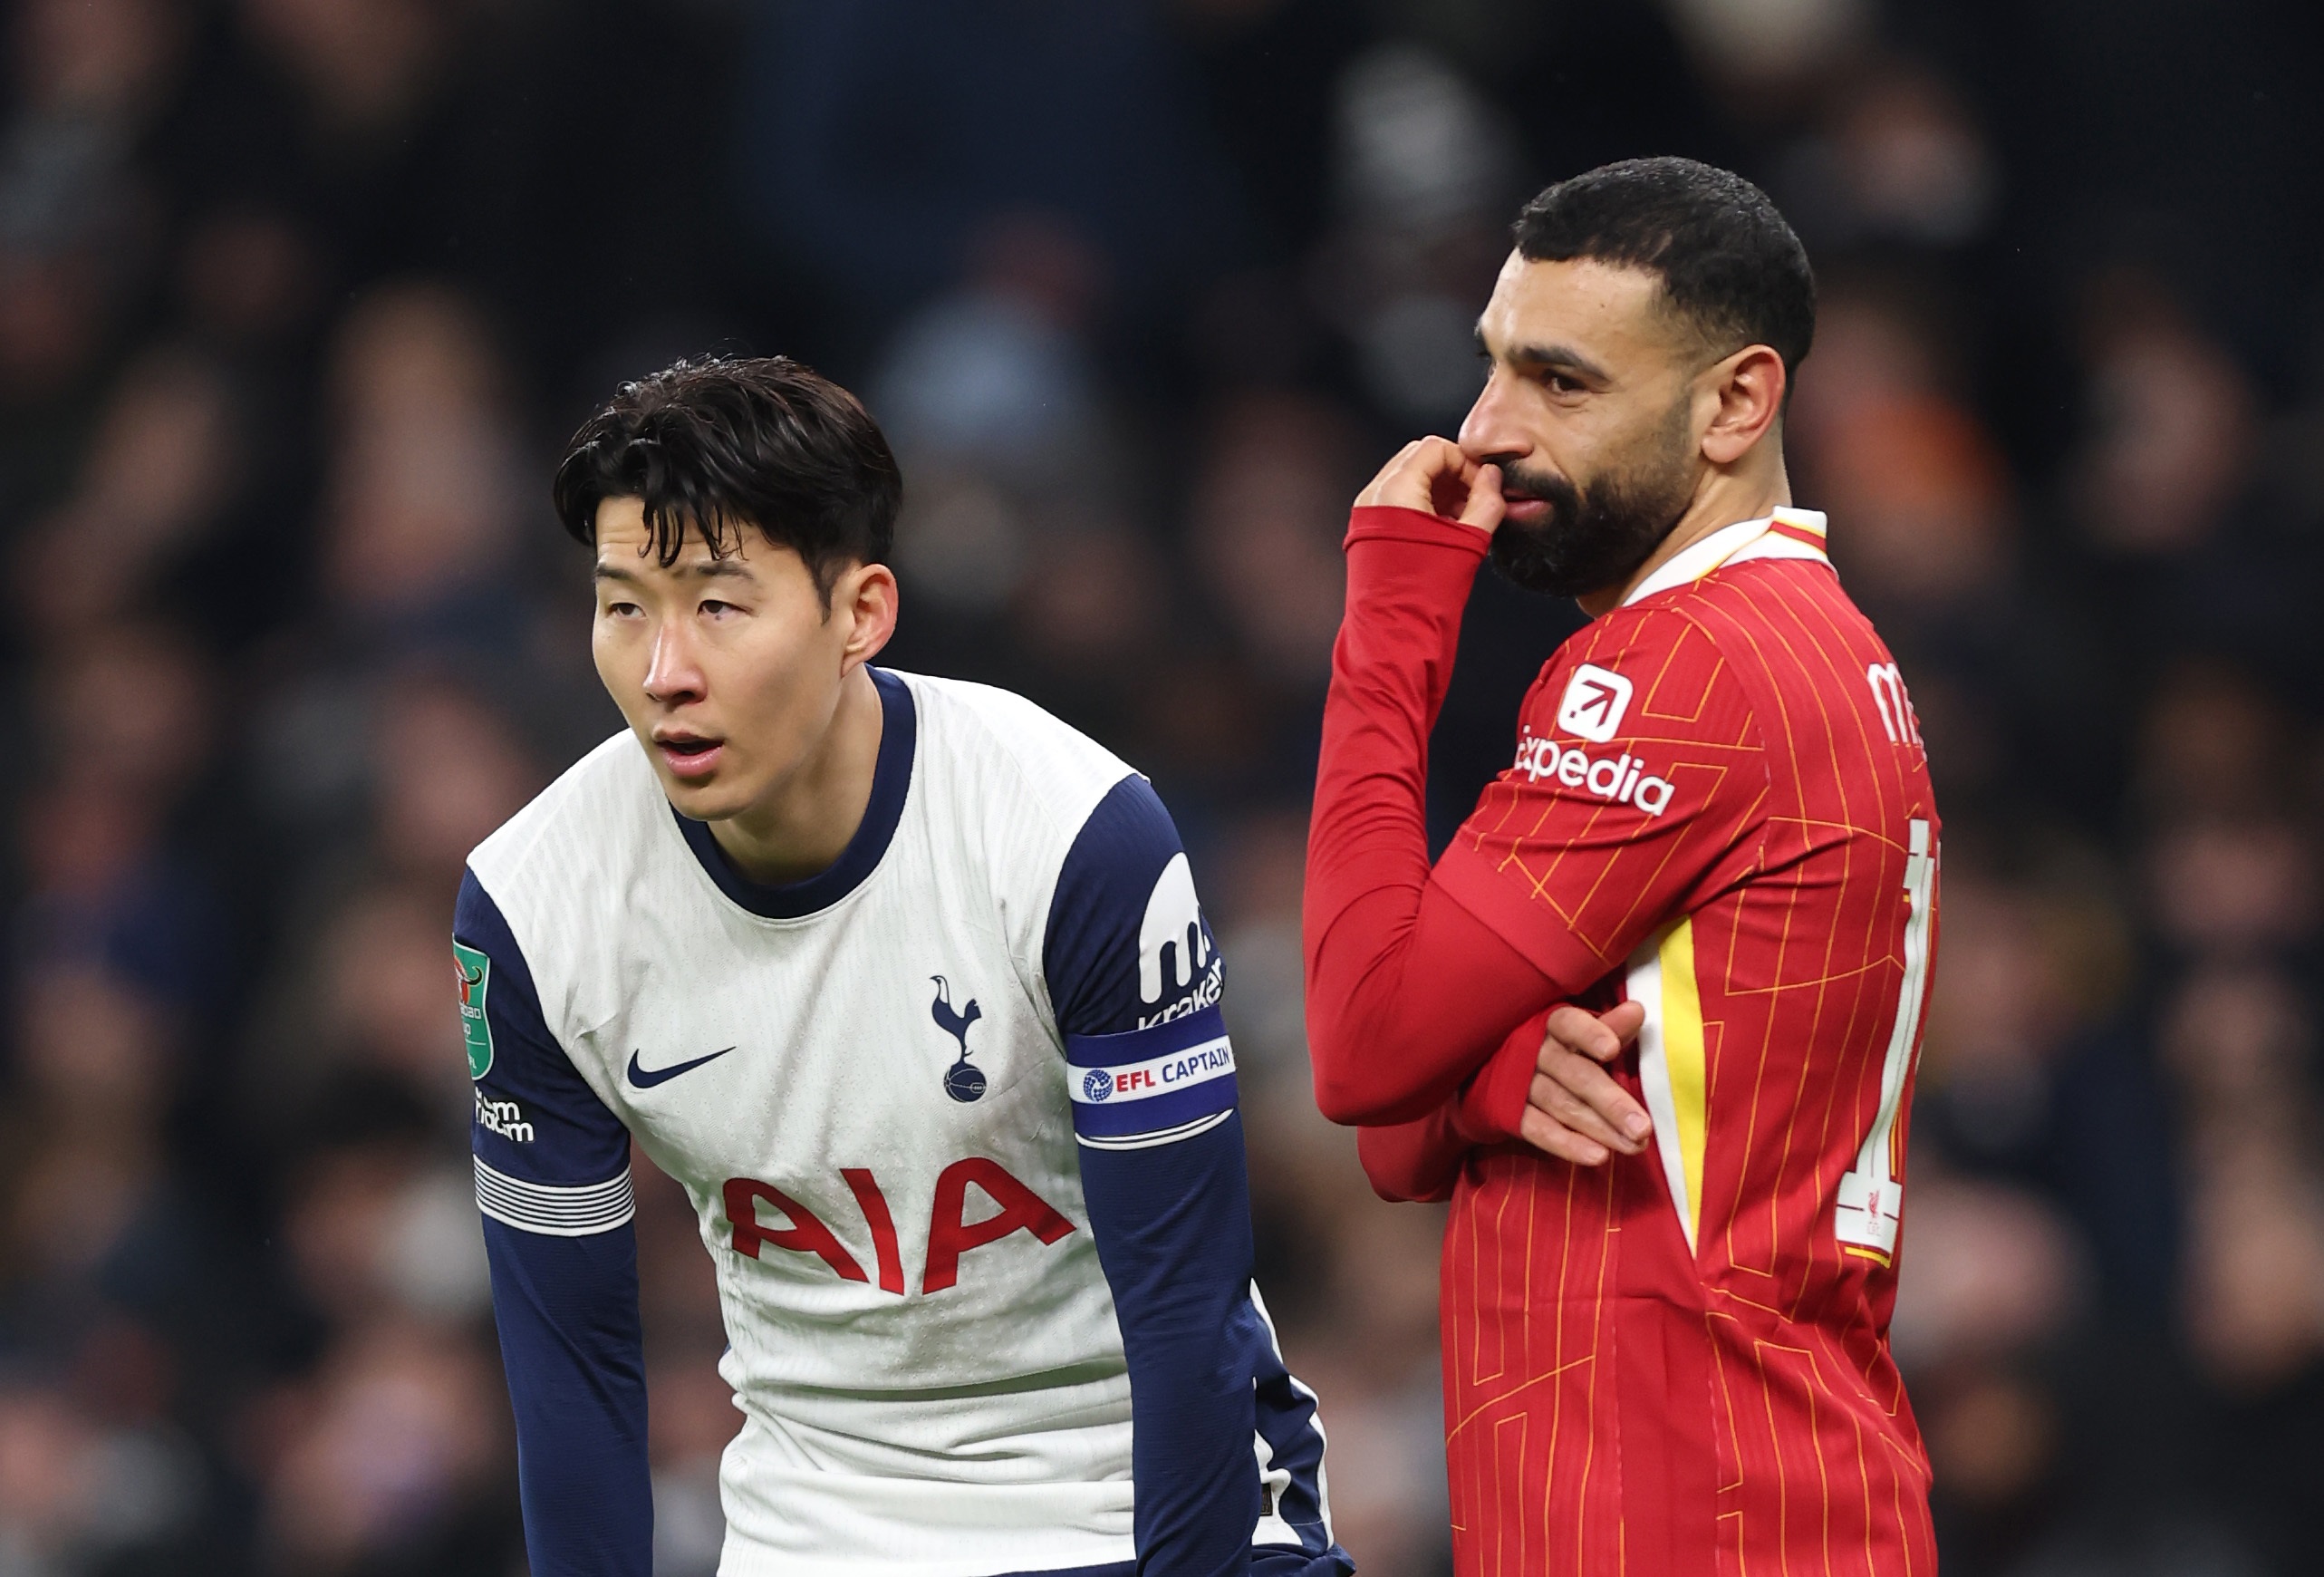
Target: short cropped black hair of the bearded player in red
1728 259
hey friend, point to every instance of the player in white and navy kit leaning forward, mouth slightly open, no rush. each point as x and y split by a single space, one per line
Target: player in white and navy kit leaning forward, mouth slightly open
910 987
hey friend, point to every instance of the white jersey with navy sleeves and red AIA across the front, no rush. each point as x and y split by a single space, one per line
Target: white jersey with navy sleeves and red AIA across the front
868 1087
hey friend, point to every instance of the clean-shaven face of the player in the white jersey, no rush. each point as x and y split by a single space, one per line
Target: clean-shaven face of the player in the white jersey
729 669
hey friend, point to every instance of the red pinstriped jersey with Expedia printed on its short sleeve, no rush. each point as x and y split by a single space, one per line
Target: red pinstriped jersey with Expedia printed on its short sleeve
1679 1362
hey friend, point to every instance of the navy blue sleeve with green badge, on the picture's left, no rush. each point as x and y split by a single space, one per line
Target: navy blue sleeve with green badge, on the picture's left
554 1187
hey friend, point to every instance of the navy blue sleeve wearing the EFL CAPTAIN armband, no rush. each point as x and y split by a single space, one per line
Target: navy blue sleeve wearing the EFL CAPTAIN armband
1226 1453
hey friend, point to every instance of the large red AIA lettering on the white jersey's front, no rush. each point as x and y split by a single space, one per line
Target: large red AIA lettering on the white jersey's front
949 1232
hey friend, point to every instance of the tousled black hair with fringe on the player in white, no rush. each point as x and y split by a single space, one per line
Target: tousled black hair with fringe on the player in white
729 443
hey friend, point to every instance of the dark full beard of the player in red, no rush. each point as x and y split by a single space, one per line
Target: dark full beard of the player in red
1598 534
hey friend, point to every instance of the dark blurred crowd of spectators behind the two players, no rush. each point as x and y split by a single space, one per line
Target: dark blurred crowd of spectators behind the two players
299 301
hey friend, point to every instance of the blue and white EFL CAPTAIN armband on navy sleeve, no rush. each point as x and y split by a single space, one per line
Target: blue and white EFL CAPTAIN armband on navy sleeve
1152 1087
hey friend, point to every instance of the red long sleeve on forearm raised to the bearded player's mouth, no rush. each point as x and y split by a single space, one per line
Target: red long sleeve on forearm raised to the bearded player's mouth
1407 992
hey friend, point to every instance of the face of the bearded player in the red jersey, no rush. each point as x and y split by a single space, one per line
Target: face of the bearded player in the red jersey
1591 418
